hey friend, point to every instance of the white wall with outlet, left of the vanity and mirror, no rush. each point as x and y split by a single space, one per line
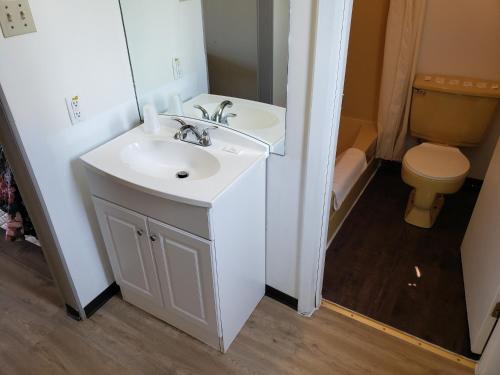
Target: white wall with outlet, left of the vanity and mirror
79 49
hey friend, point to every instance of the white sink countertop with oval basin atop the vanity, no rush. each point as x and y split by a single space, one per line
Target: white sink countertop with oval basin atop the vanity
163 166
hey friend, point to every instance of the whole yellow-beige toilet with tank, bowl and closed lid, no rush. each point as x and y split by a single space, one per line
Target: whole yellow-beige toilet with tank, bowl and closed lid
446 113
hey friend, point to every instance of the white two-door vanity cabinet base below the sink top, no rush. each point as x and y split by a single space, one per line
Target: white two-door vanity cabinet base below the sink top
200 269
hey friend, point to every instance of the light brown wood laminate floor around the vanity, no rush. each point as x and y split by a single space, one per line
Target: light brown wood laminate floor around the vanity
36 337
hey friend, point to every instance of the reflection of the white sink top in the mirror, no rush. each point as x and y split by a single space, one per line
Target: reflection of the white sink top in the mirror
263 121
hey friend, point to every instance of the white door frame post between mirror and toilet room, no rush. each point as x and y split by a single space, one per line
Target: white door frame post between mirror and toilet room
333 23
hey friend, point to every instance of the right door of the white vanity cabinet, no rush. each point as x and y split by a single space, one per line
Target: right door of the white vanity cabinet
184 264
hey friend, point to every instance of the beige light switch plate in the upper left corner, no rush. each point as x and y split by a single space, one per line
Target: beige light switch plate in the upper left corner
16 18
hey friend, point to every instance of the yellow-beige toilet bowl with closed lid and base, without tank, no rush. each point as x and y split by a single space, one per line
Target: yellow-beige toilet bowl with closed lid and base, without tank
432 170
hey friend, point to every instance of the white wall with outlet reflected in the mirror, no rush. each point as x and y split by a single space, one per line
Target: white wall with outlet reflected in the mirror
157 32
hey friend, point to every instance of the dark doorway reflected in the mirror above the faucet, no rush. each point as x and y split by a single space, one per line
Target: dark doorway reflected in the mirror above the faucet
251 62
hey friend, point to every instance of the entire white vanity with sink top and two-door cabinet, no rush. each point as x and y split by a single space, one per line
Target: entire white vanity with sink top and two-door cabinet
191 251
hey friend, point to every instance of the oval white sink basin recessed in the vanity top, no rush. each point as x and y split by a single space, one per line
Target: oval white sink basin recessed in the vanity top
165 159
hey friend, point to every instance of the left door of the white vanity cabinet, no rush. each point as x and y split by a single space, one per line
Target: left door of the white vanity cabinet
127 242
